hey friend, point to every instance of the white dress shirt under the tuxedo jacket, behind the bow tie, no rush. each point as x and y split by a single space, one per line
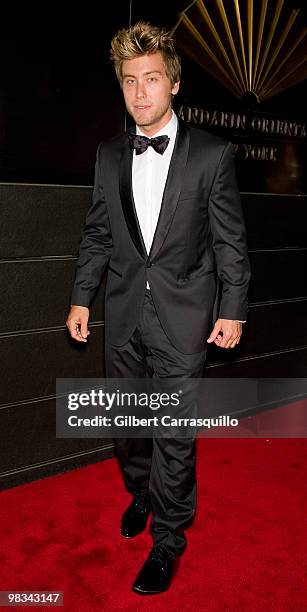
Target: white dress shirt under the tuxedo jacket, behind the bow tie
149 174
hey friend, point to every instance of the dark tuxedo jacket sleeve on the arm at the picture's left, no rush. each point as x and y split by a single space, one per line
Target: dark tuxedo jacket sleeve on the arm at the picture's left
95 244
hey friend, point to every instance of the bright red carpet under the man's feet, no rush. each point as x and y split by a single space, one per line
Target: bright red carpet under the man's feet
246 548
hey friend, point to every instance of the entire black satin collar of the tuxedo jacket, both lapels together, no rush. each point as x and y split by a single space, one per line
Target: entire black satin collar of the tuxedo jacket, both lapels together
170 196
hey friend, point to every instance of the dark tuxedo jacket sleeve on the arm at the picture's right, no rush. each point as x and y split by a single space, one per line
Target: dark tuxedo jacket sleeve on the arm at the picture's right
229 239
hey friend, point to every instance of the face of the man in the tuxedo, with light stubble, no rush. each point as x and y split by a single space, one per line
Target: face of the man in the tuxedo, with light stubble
148 92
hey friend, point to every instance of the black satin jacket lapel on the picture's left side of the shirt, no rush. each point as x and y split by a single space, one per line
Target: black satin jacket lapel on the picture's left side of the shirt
127 201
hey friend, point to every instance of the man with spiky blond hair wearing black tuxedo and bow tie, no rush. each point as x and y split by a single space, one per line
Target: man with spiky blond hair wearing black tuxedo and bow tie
166 220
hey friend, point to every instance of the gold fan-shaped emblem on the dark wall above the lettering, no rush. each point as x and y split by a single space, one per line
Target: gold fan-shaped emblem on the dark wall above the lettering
254 47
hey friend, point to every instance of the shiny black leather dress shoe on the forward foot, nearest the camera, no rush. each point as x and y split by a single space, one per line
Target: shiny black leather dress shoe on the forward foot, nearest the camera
157 571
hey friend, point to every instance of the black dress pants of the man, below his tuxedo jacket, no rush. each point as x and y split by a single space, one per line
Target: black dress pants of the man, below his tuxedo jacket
165 467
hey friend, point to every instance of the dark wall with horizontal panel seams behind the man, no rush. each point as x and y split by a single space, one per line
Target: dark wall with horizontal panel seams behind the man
59 98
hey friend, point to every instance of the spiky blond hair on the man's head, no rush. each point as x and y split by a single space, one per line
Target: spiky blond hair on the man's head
142 39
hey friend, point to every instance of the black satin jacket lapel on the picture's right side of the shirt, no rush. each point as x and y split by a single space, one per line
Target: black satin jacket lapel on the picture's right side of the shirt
172 187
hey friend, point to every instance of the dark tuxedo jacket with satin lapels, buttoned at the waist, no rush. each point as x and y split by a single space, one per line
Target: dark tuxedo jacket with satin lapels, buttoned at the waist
198 267
